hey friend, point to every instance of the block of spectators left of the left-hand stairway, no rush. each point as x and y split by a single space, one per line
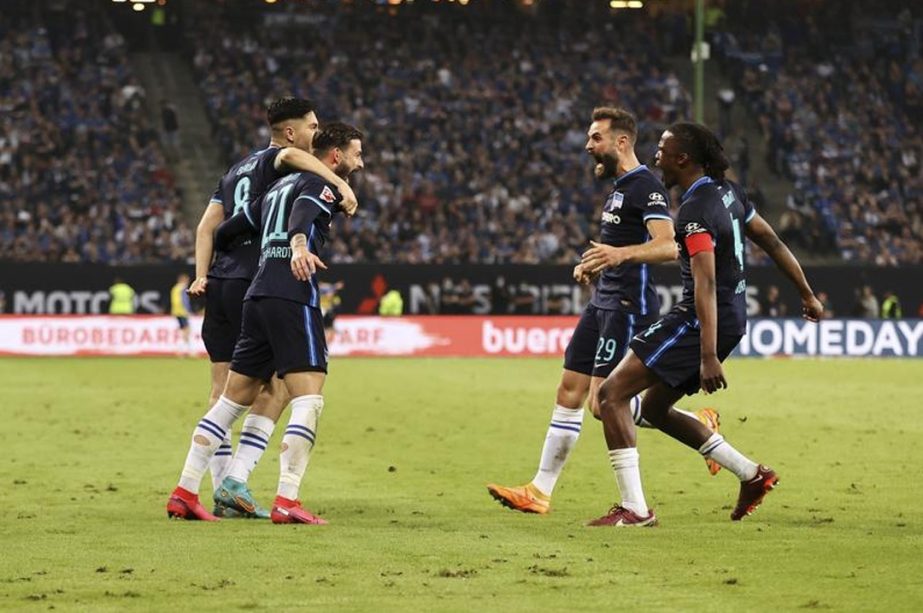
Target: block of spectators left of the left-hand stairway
82 175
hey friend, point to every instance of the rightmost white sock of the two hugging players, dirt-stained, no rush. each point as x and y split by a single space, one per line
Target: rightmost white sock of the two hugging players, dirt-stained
298 443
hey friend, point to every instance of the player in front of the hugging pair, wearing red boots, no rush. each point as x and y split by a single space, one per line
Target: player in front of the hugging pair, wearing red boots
281 332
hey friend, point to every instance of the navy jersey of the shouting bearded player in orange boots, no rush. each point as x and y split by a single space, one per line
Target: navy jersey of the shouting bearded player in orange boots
637 197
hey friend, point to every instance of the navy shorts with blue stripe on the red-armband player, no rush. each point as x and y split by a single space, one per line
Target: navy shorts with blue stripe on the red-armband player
672 348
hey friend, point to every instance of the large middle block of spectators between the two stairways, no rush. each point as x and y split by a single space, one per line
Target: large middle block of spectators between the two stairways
475 127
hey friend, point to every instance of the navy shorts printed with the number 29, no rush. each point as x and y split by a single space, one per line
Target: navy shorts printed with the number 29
601 339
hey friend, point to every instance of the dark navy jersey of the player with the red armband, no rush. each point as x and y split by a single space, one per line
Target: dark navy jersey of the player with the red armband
720 210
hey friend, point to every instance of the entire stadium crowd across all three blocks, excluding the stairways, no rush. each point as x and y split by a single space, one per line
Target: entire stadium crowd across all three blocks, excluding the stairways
475 125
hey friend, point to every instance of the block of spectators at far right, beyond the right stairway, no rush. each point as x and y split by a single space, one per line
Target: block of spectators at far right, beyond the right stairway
838 92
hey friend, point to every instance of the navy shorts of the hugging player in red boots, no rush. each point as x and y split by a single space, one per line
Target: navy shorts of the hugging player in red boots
279 336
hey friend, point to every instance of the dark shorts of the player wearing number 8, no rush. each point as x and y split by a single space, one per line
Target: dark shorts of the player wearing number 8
224 303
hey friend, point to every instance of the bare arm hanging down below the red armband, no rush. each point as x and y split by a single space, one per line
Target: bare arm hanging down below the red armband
706 309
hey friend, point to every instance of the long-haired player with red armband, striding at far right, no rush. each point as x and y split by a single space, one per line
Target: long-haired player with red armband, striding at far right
683 351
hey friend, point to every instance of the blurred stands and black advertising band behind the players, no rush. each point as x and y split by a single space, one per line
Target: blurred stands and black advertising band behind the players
119 117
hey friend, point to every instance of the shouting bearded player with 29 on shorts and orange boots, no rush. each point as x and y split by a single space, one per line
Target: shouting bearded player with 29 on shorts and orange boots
636 230
